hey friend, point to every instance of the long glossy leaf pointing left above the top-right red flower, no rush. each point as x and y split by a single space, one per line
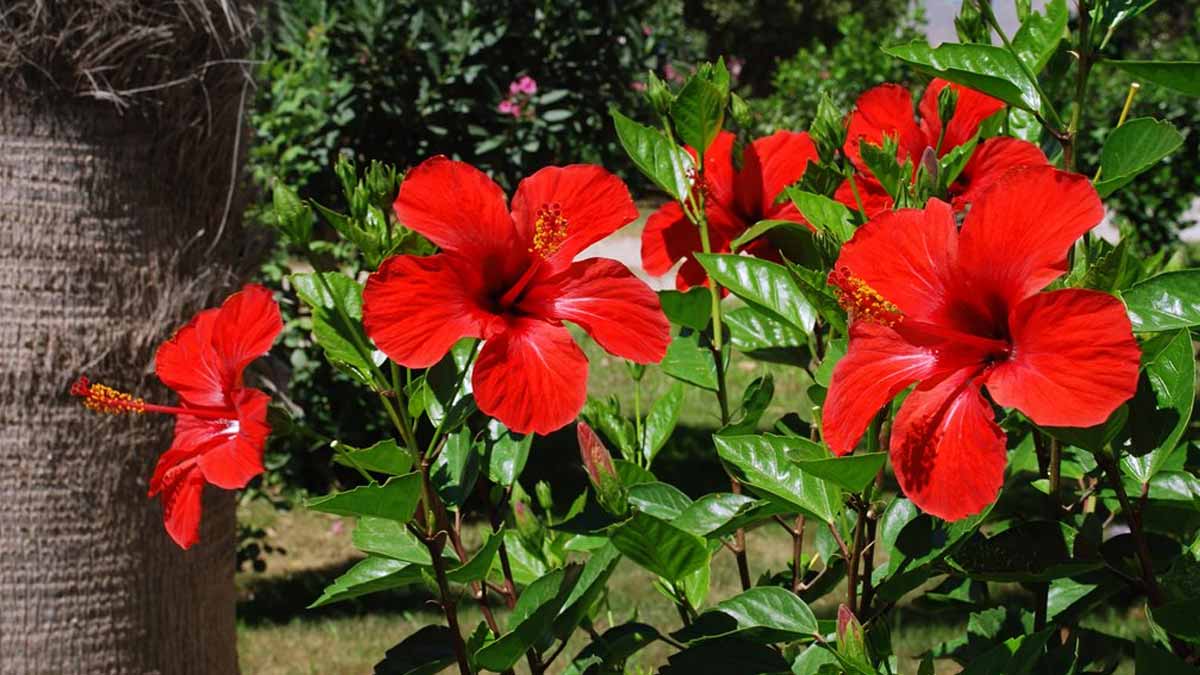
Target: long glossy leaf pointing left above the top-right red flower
985 68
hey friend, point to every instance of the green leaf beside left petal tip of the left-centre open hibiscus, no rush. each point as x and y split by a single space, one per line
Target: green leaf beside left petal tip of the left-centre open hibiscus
341 342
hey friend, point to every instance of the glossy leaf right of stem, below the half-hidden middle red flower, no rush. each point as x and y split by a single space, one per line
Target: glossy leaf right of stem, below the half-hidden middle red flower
766 285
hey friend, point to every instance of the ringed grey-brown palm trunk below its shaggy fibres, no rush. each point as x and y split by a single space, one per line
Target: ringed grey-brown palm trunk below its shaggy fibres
106 247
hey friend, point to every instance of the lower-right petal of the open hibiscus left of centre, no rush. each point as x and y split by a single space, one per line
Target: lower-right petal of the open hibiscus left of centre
613 306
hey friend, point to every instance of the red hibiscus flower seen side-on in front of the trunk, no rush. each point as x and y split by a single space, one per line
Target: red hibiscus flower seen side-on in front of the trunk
220 425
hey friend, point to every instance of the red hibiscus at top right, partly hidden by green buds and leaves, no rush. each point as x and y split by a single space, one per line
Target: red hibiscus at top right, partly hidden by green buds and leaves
887 111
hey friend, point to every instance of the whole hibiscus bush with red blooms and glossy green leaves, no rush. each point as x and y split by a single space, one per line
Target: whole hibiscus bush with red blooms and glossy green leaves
1001 399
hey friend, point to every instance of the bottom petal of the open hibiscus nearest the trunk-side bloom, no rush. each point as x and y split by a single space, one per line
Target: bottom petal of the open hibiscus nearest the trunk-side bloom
532 378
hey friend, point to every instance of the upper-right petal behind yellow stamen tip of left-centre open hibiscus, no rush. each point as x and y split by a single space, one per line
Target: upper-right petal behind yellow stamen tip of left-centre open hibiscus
593 204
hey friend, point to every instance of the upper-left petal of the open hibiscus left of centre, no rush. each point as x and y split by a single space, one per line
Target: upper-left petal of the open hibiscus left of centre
455 206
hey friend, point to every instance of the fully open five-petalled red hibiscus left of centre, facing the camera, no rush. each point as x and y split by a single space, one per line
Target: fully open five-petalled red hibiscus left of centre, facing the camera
511 280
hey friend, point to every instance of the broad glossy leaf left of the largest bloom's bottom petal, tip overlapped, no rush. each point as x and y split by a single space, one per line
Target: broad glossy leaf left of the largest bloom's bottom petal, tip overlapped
763 464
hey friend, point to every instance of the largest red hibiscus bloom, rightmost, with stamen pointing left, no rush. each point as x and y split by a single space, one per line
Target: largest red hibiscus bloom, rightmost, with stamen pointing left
953 312
